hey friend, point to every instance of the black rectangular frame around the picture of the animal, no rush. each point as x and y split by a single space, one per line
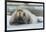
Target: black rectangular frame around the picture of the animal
22 2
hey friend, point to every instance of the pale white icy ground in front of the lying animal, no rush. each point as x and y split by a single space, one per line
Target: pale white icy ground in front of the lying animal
24 26
